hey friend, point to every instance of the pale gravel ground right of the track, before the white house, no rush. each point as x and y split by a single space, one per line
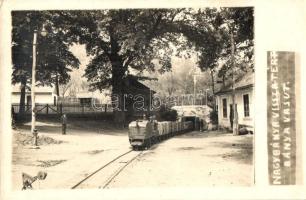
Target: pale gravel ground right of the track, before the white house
193 160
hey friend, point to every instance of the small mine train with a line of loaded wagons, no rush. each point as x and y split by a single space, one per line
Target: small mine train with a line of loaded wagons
144 133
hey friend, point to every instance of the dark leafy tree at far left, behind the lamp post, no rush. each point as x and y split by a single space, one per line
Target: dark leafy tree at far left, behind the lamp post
54 60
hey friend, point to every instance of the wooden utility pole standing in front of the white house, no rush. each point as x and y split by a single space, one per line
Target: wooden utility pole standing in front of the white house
235 114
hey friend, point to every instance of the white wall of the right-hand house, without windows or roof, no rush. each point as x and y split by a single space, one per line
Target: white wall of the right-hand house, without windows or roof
225 122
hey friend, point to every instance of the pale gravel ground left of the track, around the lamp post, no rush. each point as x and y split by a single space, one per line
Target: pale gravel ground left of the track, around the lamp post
66 158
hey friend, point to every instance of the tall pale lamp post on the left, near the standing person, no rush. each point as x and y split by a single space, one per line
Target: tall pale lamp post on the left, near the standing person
33 131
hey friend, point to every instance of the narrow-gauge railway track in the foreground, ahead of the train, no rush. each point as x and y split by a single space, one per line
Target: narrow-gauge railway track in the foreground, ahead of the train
107 178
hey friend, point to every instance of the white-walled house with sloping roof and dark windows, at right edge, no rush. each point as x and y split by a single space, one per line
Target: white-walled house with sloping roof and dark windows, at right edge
244 100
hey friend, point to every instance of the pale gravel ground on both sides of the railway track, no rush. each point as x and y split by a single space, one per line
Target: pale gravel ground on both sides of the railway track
194 159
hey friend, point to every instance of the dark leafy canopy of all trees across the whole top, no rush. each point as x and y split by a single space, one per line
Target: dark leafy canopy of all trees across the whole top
125 42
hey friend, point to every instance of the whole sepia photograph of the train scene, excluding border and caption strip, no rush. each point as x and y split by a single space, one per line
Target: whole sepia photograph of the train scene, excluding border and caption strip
125 98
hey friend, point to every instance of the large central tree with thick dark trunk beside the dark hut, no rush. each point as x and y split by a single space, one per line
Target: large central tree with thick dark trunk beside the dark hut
125 40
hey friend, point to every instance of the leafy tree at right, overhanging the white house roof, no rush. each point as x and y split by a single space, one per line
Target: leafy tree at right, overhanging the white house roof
239 22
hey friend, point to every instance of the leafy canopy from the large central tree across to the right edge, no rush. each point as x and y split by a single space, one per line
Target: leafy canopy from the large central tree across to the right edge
126 40
